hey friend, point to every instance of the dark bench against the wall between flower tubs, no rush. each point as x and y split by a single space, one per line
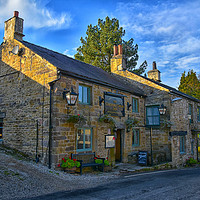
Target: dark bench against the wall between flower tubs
87 160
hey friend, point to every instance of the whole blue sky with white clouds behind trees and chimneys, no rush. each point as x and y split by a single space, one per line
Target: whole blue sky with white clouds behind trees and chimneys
167 31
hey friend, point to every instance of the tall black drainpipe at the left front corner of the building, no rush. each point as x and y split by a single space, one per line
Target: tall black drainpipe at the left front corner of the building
51 84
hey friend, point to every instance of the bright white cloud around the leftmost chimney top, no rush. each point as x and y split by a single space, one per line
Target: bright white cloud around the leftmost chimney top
35 13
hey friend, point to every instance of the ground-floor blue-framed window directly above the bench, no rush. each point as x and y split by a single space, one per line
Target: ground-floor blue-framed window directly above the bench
84 139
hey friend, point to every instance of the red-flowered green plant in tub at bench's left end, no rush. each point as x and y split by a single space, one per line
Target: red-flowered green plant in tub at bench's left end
69 165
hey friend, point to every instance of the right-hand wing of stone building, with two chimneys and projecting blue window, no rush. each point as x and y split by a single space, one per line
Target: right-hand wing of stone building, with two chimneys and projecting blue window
174 134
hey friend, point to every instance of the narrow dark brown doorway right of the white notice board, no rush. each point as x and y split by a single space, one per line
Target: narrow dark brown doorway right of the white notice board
118 146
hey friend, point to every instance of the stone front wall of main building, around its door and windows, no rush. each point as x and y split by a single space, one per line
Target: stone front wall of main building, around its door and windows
65 134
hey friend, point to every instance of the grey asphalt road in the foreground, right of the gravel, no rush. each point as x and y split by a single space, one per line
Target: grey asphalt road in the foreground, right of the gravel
172 184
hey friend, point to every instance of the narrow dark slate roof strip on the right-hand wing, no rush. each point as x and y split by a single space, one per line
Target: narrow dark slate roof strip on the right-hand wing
171 89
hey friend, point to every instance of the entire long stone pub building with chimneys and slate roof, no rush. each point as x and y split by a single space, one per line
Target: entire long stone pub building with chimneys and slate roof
36 119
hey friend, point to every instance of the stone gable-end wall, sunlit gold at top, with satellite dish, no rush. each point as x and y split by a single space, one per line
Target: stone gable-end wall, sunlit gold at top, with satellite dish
24 97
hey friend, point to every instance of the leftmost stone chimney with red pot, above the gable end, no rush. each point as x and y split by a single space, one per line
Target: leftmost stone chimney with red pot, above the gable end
14 28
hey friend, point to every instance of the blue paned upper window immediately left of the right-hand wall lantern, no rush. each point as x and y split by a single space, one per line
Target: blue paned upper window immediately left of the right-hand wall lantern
152 116
